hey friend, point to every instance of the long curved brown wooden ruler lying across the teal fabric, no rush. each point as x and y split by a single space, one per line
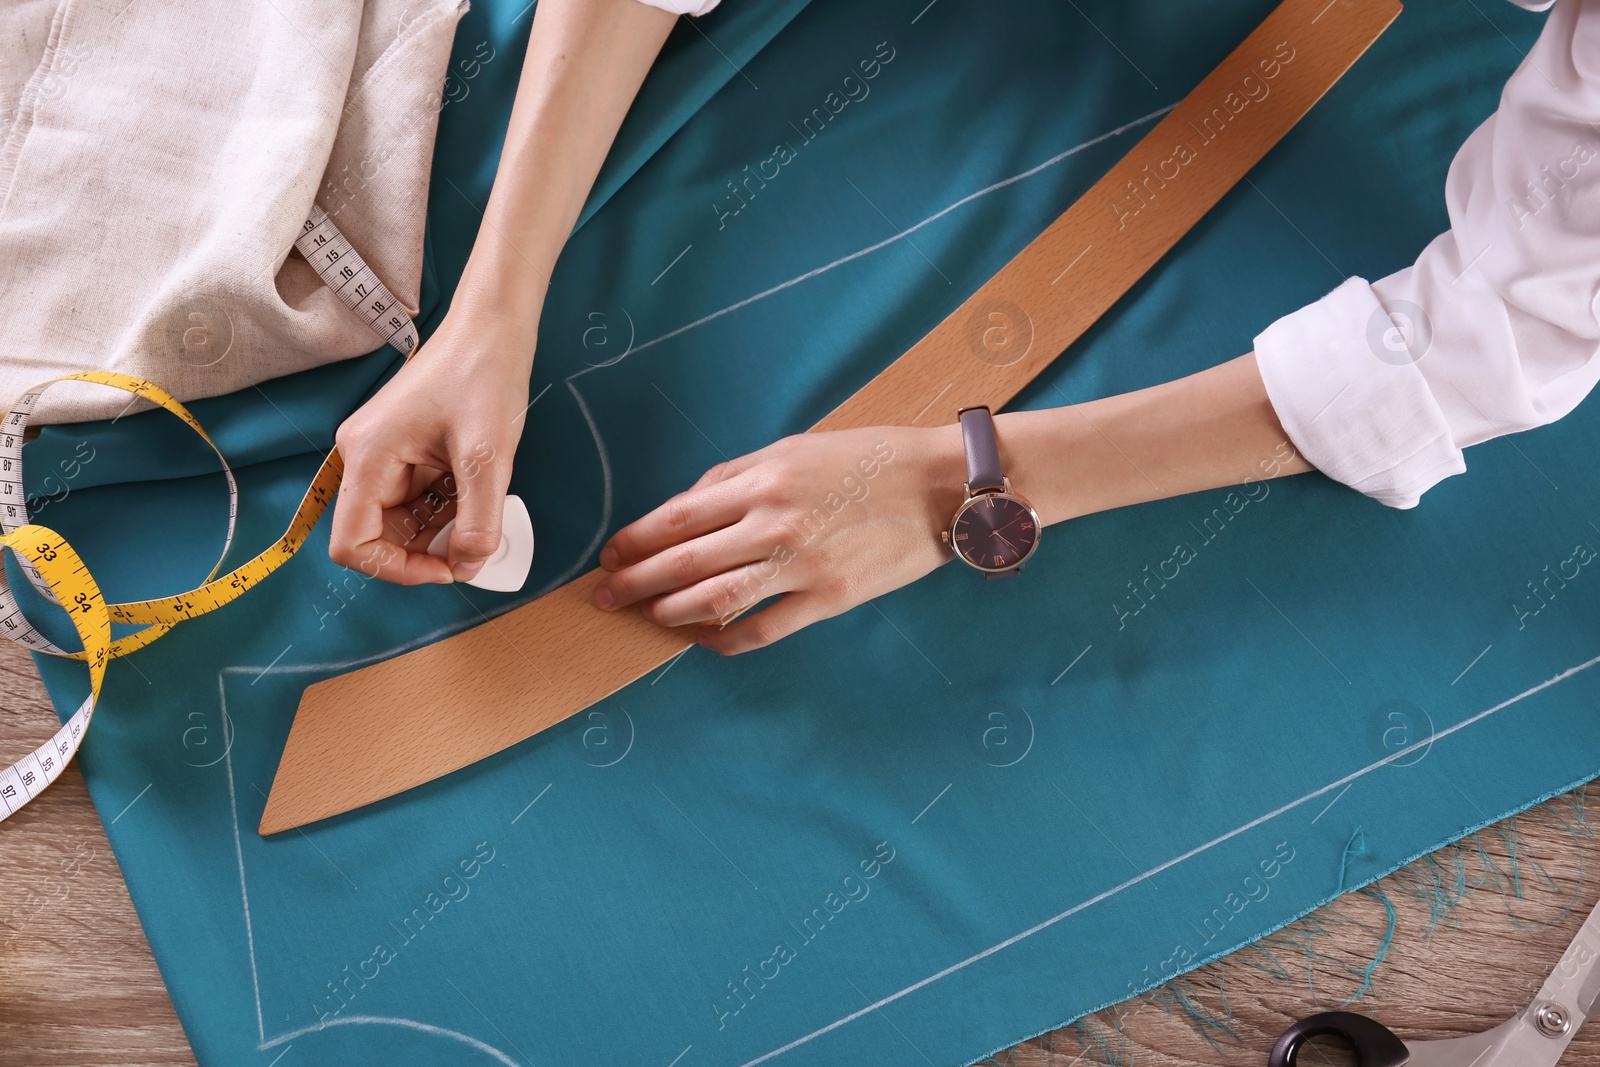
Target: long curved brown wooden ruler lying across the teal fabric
385 729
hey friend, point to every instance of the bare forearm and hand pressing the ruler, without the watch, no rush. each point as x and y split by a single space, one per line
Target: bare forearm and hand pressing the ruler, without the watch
775 522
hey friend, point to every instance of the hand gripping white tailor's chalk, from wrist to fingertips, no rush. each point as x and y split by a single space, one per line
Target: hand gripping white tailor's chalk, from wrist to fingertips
436 444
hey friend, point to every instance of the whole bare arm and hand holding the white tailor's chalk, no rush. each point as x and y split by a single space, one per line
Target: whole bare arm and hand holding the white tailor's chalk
439 438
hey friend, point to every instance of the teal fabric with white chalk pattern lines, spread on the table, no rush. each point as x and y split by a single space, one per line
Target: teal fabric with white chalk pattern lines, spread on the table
945 821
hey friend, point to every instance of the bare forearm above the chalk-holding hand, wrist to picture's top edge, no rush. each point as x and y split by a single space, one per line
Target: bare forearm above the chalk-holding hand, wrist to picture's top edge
586 62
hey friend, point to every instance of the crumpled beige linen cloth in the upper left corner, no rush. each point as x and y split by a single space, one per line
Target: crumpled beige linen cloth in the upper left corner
158 162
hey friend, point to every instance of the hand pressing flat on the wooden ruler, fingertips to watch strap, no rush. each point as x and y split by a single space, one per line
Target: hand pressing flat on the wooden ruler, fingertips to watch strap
830 521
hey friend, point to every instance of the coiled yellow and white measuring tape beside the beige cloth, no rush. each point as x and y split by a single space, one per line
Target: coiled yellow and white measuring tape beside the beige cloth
60 575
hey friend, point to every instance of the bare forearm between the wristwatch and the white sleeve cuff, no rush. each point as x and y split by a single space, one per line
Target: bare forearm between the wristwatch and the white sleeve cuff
1199 433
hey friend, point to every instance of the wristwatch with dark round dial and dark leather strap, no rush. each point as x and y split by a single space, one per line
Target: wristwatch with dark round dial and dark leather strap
994 530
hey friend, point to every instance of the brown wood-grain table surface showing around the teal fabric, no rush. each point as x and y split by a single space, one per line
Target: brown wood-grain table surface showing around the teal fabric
1478 929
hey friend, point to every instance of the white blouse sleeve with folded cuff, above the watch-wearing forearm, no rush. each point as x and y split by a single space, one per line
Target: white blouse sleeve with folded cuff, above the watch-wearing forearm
1497 327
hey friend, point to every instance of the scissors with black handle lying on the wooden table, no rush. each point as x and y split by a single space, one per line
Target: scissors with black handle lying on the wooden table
1535 1037
